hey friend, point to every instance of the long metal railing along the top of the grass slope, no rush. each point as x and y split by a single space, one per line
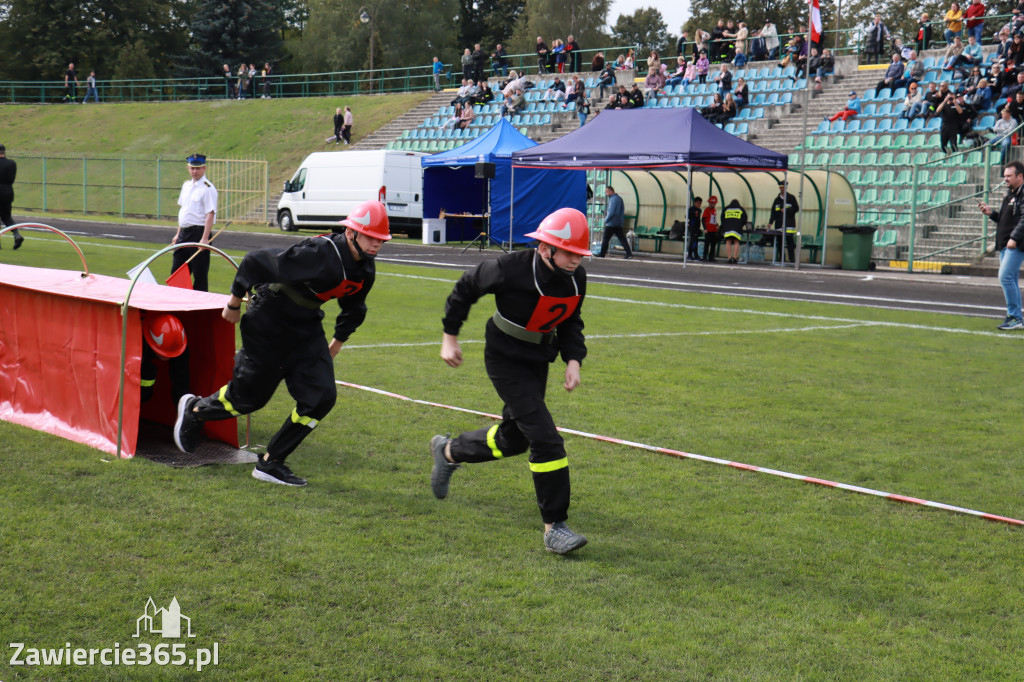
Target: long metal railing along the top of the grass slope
328 84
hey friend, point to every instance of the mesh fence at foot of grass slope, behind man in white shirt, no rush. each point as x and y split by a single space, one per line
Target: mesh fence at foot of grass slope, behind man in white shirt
138 187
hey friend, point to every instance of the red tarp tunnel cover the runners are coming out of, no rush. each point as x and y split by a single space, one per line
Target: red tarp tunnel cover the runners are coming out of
61 354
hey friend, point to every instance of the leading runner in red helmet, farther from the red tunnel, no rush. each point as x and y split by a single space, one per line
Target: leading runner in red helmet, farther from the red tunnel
539 294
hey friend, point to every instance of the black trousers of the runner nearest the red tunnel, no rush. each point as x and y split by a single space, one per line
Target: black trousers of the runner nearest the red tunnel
278 347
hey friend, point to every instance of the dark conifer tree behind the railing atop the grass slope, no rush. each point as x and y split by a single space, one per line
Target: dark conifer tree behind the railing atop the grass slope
232 32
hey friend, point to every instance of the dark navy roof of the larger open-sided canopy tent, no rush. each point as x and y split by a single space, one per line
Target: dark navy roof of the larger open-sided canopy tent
651 139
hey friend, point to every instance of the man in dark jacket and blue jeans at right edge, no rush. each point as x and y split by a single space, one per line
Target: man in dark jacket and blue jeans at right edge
1009 242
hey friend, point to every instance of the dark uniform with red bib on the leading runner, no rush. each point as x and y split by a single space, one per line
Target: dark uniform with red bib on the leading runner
538 319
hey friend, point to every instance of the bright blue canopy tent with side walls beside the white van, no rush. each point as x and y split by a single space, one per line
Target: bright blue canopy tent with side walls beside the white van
450 185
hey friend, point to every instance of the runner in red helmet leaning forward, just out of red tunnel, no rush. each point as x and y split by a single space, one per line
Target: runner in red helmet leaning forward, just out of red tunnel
283 334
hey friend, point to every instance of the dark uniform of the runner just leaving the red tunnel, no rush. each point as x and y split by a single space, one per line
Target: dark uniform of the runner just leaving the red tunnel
283 334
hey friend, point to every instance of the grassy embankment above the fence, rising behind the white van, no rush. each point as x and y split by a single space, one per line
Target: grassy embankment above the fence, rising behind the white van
282 132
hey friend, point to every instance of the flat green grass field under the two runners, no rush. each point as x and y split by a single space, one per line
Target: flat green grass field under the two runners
694 571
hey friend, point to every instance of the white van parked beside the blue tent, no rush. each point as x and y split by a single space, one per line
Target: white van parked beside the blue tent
329 185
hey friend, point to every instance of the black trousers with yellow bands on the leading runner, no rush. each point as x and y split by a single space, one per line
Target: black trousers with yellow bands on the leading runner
526 424
